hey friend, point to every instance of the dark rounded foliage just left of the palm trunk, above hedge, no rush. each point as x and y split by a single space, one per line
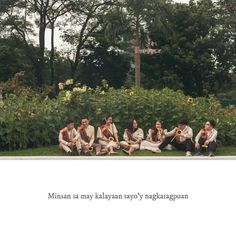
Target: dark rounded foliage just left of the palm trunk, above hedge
103 64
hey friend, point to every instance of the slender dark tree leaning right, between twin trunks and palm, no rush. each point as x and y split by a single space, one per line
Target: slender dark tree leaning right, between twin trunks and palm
84 20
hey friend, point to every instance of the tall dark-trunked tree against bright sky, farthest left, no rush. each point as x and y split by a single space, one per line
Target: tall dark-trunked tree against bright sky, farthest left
18 21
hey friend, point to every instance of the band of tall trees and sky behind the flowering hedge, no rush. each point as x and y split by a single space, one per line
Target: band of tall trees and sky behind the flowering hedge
194 44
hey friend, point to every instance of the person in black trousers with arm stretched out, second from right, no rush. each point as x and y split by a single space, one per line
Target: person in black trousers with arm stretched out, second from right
180 137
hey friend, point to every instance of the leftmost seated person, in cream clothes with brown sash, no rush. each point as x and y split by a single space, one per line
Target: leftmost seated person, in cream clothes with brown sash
69 139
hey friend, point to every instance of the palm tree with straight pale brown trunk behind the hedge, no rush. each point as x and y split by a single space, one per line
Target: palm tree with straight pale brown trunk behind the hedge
135 16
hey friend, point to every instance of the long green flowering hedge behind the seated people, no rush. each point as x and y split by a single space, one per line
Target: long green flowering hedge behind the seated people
32 121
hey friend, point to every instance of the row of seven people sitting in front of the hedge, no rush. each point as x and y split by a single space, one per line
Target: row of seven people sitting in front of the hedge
83 142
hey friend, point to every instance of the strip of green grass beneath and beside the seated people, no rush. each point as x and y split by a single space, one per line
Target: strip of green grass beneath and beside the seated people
54 151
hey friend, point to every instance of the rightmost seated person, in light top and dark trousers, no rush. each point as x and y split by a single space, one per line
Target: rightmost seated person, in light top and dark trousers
205 141
